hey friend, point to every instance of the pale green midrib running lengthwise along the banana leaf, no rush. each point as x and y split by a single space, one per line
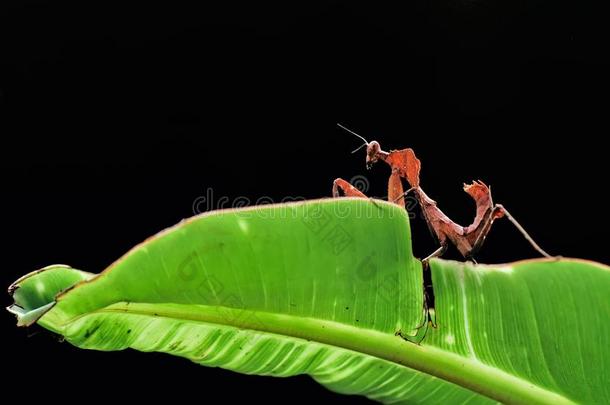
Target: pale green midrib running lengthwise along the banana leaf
466 372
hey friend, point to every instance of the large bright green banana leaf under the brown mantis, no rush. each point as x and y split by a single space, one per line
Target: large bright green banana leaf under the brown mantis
322 288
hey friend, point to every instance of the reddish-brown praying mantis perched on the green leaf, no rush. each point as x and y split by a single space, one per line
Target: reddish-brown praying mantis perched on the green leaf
405 165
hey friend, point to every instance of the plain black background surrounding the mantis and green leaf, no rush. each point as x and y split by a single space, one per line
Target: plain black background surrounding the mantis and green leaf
114 120
